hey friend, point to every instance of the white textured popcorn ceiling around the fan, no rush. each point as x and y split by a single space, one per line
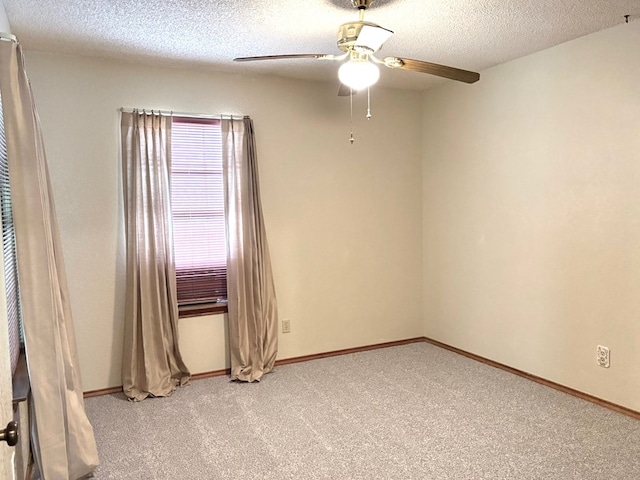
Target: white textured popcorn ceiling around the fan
468 34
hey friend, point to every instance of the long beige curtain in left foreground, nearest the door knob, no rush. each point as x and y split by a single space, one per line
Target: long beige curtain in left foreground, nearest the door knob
62 437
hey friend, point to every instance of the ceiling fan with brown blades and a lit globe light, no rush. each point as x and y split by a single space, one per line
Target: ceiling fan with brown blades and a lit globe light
360 41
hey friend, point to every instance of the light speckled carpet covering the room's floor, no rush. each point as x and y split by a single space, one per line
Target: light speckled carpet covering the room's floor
410 412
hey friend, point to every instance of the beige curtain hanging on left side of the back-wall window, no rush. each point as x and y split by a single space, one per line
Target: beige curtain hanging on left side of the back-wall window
152 364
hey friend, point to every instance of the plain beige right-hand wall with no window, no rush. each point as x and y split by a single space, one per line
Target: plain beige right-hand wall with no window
532 214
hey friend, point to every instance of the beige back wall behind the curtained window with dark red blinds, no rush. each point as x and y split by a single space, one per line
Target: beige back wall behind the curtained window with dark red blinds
344 221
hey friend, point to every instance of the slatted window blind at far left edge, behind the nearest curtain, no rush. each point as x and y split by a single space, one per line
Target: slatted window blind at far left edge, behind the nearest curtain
9 252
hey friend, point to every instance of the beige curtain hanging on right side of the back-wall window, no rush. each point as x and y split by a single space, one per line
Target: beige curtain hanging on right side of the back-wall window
253 316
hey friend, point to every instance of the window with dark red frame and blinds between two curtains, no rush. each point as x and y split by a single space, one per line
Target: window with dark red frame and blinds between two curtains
197 202
